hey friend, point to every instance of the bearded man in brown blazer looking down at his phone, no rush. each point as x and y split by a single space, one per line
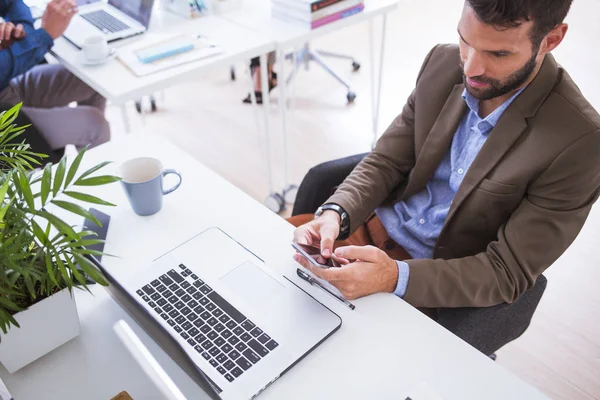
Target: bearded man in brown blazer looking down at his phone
482 182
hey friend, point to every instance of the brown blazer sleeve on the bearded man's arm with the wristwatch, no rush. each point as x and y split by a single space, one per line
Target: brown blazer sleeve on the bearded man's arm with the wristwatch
382 170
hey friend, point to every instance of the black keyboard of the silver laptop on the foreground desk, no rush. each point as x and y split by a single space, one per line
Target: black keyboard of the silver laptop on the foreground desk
229 341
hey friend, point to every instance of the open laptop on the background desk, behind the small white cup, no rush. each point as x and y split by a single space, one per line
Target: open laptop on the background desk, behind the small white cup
117 19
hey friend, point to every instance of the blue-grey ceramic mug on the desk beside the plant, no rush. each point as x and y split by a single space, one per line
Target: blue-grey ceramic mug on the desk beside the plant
142 180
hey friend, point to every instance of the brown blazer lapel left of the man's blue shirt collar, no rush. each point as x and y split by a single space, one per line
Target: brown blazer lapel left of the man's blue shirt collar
439 139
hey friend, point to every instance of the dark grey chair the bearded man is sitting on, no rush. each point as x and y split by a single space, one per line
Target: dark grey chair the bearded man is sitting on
486 329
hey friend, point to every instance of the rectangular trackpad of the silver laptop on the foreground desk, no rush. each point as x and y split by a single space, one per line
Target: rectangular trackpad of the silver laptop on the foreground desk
252 284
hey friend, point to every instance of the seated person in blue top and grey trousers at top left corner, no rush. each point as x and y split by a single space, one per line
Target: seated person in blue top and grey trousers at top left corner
46 90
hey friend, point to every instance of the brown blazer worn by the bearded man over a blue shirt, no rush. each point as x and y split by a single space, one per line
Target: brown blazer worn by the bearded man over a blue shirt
523 200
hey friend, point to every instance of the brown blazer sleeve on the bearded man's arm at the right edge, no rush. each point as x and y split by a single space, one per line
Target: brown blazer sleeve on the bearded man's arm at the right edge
537 233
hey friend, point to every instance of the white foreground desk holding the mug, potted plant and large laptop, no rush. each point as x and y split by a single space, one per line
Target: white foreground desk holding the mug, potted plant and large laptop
382 351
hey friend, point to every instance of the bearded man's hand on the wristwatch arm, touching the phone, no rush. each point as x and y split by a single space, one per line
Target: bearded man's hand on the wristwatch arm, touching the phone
321 231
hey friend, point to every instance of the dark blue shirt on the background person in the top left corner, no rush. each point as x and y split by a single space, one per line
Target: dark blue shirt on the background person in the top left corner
24 54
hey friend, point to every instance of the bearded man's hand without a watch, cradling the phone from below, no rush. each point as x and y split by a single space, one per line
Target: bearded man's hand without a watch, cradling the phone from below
373 271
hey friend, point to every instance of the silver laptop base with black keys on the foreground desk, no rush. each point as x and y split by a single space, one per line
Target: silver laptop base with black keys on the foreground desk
242 324
